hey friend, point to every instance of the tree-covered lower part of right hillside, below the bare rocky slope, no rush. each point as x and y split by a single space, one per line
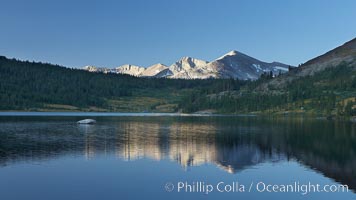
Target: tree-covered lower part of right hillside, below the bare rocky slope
329 93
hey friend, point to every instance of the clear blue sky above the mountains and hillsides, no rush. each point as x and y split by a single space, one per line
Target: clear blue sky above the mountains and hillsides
76 33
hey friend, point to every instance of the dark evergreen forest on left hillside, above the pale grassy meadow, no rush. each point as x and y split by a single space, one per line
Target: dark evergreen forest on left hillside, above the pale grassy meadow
26 85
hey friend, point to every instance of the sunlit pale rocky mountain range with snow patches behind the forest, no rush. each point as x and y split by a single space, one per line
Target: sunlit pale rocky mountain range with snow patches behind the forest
231 65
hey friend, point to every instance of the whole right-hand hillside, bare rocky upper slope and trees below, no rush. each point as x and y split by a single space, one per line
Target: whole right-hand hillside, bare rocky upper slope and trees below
325 85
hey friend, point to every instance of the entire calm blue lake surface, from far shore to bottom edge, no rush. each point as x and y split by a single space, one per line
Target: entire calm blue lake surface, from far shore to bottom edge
175 157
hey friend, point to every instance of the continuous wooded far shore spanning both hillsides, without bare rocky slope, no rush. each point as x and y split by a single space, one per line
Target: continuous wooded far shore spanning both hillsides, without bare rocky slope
46 87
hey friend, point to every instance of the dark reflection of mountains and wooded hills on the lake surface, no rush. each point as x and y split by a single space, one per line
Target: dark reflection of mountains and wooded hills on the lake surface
231 143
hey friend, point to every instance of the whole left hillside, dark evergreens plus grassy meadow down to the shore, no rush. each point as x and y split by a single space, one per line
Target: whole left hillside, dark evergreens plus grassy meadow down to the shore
37 86
